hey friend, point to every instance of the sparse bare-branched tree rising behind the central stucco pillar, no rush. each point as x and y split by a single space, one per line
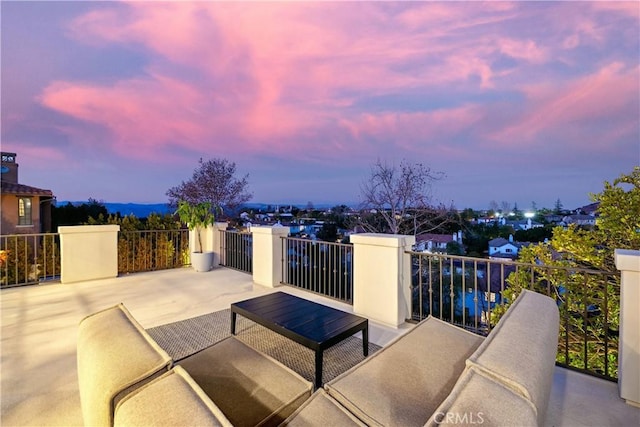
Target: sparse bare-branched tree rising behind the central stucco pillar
398 199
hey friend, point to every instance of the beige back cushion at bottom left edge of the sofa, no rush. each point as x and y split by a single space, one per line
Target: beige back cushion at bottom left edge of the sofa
172 399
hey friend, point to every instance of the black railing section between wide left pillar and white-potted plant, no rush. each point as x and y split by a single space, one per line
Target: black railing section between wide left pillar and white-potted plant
150 250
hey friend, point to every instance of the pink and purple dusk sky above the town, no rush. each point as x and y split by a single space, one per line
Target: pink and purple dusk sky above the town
513 101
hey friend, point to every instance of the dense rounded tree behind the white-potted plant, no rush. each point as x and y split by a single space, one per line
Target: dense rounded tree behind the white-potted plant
213 181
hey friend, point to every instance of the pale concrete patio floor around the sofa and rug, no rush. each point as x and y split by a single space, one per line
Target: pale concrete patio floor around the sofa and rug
38 379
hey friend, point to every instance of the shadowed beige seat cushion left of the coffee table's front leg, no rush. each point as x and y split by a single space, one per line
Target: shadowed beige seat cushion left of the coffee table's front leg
249 387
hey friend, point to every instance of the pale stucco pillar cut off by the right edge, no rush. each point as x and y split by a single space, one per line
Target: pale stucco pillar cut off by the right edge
628 262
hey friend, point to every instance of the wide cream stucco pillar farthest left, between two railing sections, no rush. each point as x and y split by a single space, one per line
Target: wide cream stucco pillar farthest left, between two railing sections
88 252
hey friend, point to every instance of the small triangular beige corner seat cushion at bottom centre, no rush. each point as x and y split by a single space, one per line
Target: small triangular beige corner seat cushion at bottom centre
322 411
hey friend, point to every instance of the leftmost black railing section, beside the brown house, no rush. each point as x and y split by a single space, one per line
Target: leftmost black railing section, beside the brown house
27 259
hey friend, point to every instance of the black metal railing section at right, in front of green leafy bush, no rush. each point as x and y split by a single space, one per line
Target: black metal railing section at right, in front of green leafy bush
473 293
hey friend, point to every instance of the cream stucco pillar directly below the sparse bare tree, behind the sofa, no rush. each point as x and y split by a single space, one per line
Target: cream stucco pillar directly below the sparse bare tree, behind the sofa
382 277
